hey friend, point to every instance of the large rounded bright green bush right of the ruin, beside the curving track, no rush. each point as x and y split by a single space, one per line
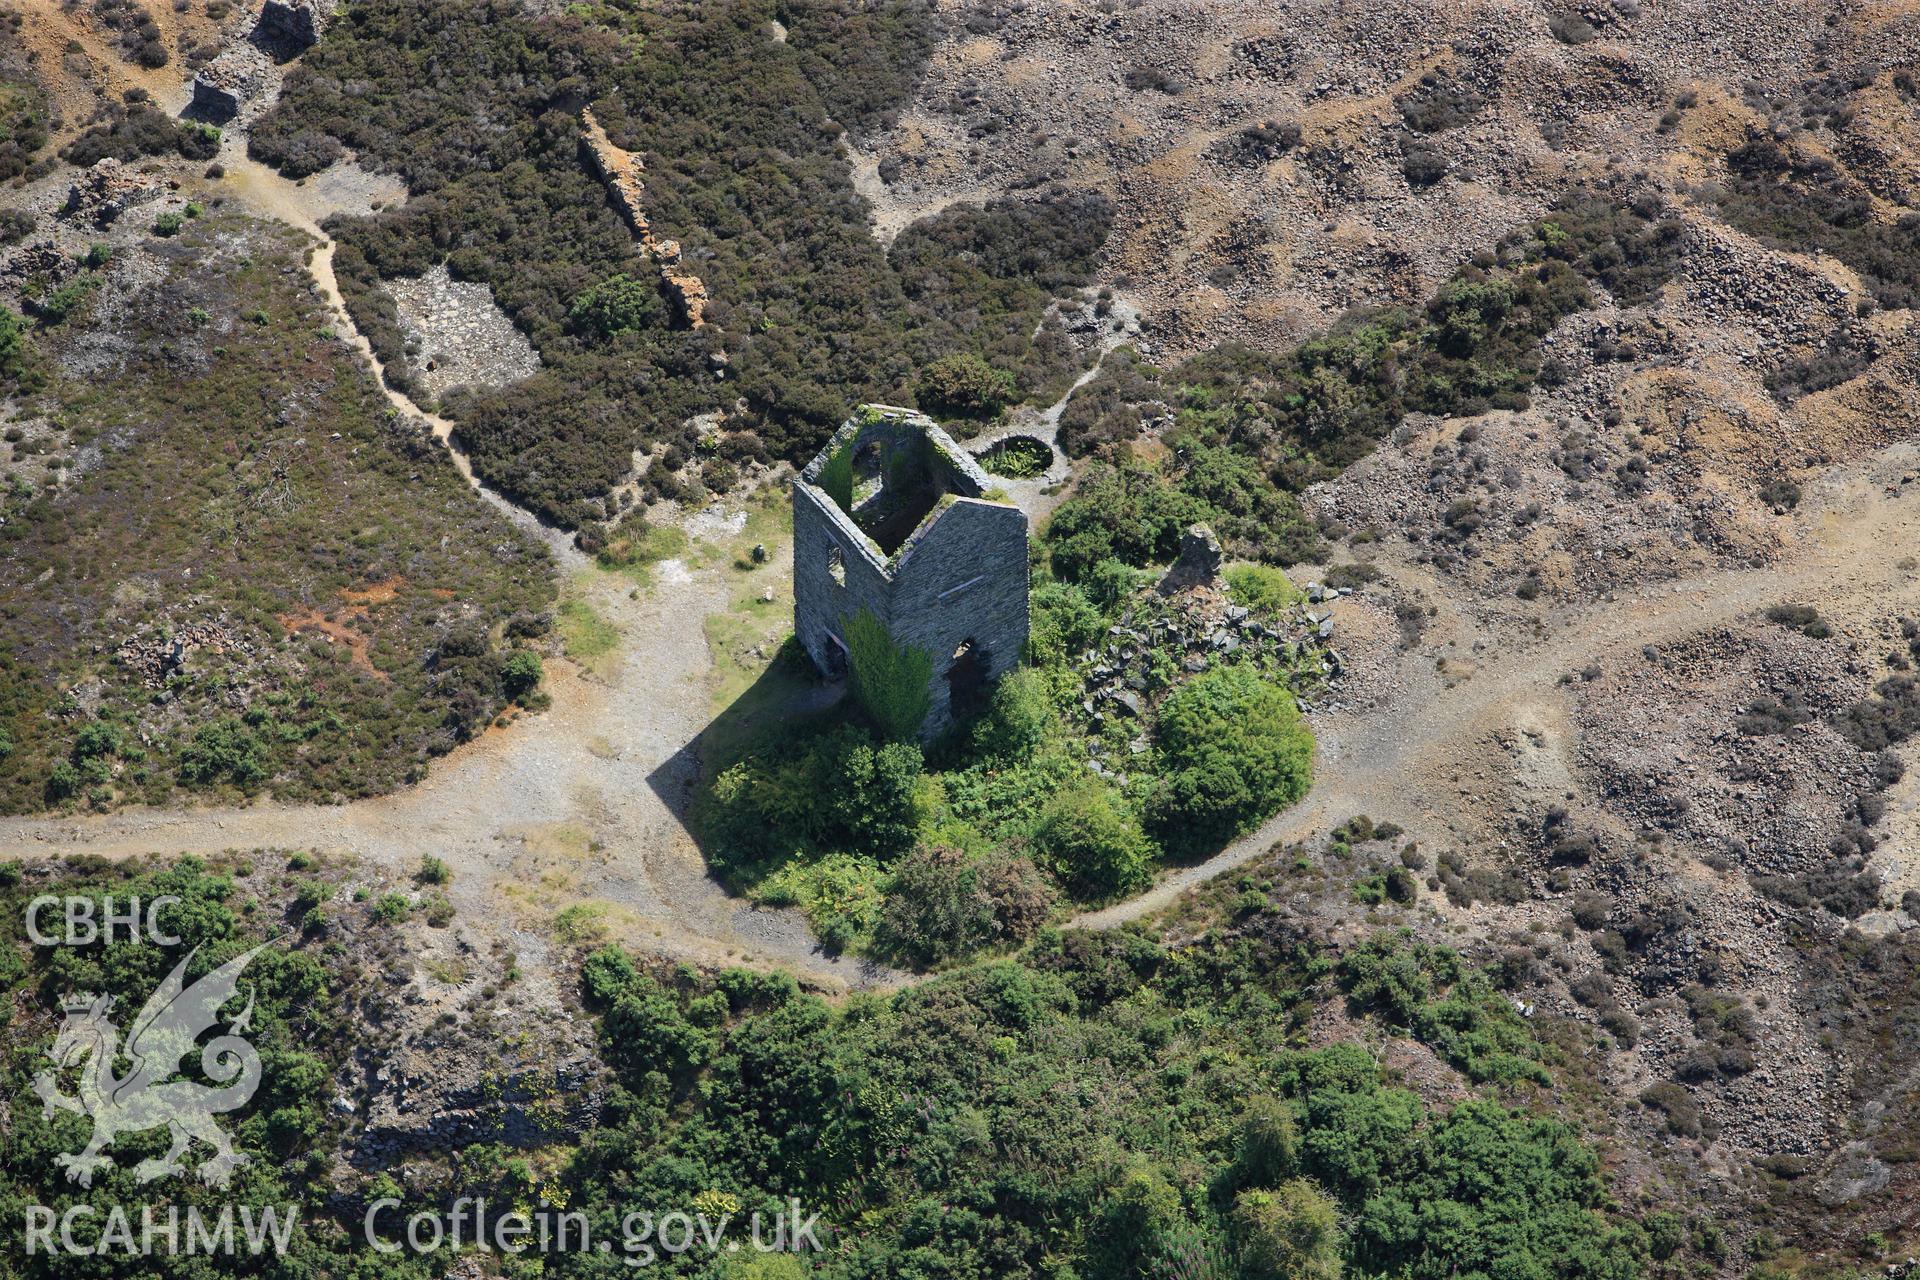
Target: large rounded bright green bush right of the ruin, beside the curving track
1234 749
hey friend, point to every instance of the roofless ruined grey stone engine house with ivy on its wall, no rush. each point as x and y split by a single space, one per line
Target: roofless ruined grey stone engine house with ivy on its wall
894 517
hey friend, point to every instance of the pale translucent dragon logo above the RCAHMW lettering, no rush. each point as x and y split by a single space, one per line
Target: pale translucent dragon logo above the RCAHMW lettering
158 1043
